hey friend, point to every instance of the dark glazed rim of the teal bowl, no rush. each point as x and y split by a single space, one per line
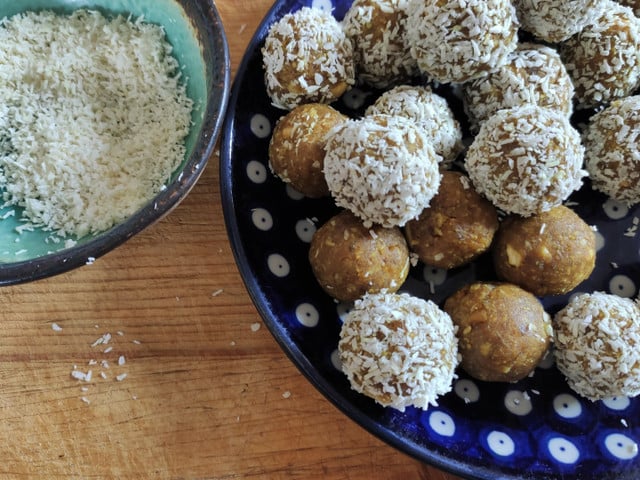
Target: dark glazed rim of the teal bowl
165 201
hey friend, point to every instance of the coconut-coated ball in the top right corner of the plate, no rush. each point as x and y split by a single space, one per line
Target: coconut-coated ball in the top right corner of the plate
603 59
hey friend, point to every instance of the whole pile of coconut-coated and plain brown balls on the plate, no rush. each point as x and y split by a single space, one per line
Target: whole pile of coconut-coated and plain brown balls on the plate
392 173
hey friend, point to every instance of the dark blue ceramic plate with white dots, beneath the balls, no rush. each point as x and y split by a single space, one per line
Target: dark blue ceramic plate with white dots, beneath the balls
537 428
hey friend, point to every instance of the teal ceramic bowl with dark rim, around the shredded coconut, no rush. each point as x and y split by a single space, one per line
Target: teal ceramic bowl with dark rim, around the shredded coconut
195 31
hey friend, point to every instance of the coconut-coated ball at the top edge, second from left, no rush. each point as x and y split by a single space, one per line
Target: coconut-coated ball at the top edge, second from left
377 29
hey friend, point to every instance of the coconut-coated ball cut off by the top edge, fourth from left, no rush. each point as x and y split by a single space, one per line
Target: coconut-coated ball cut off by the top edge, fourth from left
556 20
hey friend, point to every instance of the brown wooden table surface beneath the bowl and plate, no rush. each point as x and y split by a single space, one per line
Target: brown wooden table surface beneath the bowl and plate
208 393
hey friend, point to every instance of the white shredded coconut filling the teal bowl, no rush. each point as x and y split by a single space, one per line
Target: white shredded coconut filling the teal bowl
93 116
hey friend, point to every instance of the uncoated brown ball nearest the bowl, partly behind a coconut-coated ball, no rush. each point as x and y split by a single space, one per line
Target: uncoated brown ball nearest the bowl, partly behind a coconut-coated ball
296 149
